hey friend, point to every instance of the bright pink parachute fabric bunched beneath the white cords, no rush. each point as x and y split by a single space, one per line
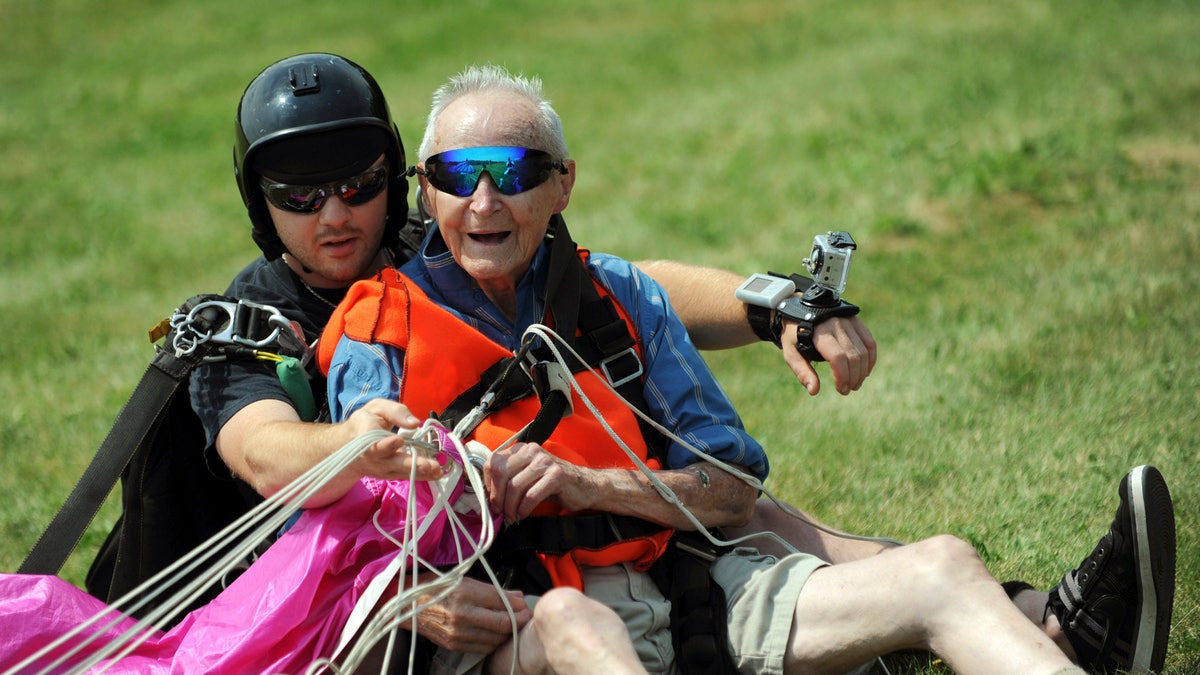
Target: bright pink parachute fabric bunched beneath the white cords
283 614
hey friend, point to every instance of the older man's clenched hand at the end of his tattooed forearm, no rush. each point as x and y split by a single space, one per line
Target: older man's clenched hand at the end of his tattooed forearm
521 477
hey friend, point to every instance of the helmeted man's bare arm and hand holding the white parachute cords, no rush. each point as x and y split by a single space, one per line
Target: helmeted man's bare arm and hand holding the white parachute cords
268 446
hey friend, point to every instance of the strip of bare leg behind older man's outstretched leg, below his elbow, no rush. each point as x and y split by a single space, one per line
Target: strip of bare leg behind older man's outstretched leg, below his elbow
806 539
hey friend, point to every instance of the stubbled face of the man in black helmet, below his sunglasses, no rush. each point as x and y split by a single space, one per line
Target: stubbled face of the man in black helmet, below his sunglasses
339 243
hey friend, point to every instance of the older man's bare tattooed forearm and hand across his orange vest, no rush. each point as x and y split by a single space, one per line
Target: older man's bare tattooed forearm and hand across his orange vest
520 479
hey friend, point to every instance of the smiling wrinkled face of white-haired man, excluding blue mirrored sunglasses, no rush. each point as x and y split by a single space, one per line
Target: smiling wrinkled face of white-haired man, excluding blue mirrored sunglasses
494 237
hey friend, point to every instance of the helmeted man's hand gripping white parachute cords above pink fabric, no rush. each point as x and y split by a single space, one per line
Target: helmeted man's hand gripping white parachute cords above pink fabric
389 459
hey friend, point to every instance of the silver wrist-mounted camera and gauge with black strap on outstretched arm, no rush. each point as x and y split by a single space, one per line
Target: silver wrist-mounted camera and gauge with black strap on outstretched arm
771 298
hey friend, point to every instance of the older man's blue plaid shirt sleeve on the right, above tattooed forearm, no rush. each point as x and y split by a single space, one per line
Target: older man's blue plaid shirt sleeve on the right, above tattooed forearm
681 391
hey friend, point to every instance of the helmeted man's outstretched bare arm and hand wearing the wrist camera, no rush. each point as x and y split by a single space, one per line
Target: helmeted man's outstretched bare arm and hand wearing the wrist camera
716 320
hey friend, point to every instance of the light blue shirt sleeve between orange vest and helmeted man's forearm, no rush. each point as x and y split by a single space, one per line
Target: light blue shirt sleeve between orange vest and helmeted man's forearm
362 372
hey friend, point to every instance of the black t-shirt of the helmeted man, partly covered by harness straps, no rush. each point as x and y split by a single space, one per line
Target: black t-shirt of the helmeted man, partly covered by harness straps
219 391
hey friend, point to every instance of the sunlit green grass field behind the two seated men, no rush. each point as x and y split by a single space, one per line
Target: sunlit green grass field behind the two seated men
1023 180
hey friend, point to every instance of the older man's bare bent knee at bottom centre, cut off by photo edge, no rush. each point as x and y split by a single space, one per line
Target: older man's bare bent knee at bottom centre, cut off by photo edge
571 634
